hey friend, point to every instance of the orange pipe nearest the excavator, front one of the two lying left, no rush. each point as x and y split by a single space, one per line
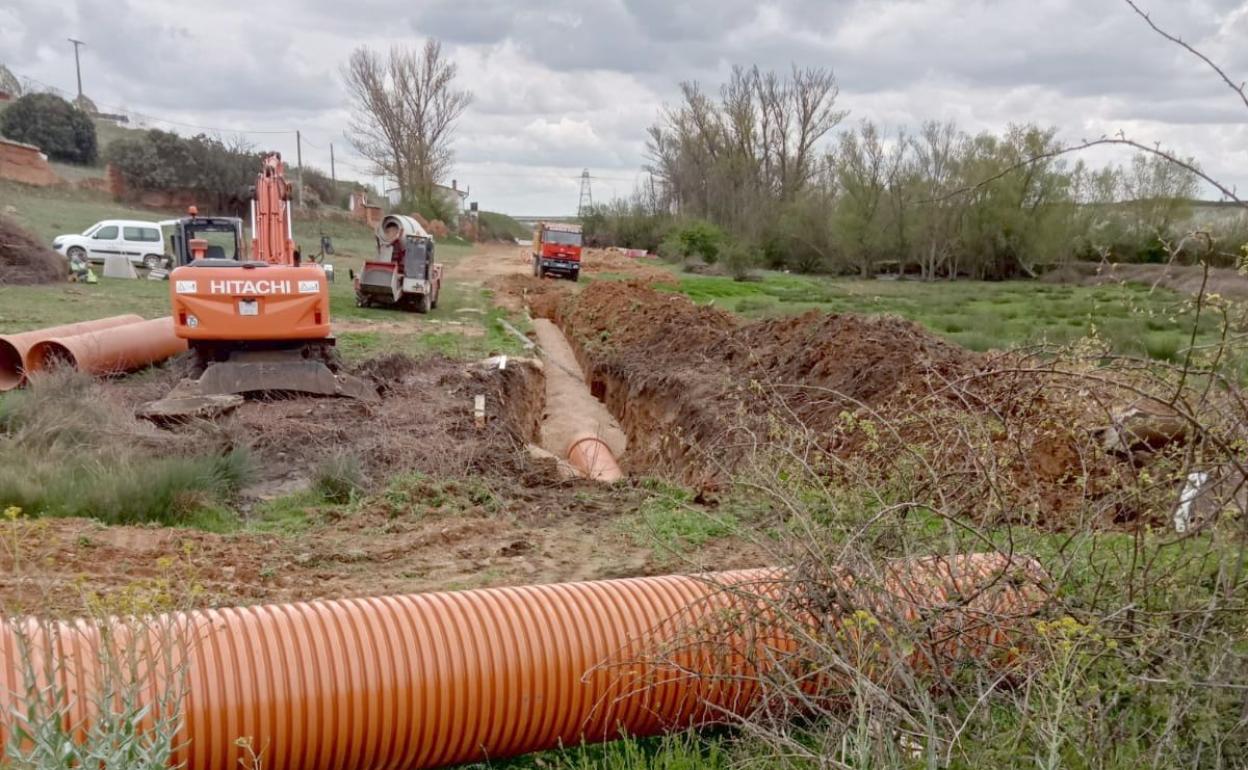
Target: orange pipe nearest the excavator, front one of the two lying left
110 351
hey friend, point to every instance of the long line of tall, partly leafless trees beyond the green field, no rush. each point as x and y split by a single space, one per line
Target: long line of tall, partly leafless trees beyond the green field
767 173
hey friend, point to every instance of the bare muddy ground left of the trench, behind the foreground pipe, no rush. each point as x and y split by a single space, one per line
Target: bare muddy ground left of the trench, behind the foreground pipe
446 504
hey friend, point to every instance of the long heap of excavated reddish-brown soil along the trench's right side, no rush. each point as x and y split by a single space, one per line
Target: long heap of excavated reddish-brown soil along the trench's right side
704 399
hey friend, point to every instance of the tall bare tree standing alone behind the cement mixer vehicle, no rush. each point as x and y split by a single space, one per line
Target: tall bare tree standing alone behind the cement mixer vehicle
405 113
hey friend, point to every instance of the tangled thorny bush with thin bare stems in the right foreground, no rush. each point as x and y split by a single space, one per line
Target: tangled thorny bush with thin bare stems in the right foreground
1124 480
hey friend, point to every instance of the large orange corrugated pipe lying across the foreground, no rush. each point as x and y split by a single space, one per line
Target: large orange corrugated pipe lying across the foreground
444 678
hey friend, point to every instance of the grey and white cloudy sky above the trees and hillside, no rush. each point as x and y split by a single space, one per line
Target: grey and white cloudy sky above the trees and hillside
563 85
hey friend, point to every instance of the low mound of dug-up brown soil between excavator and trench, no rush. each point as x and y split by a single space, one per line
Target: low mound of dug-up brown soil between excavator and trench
425 421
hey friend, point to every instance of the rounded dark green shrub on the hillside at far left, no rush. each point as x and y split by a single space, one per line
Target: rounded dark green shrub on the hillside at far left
54 125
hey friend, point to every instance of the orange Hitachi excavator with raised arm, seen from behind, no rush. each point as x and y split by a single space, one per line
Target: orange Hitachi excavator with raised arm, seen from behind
258 323
